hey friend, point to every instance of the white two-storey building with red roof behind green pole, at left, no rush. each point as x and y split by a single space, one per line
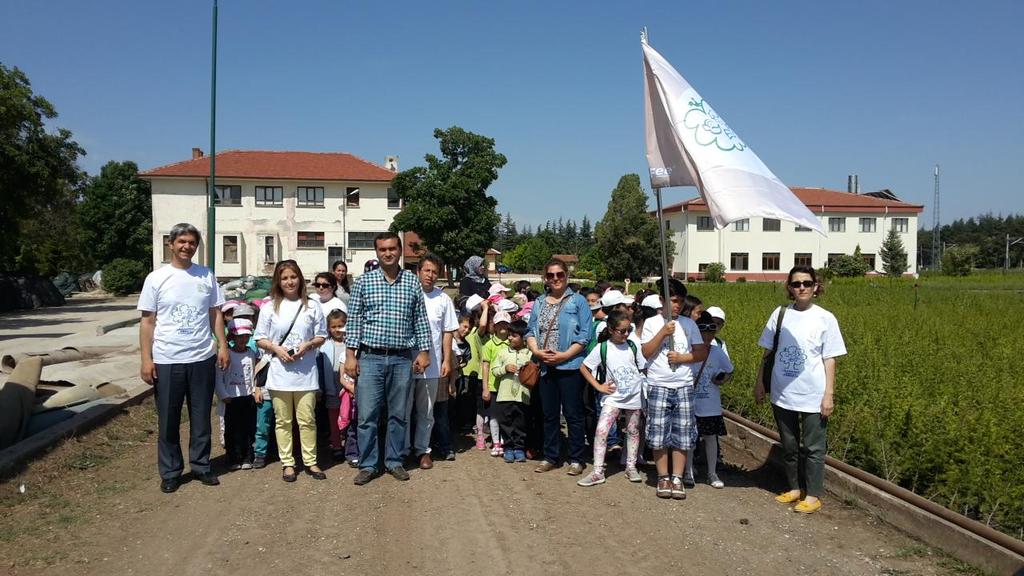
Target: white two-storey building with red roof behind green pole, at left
312 208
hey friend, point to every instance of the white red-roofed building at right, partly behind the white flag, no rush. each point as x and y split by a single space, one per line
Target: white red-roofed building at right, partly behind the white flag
764 250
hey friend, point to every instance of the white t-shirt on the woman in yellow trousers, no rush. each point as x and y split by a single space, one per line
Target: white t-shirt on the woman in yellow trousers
302 375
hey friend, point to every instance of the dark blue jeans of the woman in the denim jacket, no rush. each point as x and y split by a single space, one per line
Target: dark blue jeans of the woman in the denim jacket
562 393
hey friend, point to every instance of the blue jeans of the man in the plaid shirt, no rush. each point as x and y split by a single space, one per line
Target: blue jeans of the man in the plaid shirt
386 383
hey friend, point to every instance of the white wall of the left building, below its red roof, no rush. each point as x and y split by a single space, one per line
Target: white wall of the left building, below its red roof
249 227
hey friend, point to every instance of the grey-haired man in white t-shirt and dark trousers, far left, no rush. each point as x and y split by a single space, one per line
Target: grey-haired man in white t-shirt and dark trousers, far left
182 323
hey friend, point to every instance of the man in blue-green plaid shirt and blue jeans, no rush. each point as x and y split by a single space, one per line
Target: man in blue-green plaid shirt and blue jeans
388 326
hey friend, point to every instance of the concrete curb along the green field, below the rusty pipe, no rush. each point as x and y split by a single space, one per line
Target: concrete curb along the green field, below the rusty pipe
920 524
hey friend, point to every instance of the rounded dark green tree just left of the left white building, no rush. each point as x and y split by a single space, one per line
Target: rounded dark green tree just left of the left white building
116 216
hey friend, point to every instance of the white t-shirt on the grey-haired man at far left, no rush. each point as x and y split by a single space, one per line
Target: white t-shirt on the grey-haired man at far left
182 301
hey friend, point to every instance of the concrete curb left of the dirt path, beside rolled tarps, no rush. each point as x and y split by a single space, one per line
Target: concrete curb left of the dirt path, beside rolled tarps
15 456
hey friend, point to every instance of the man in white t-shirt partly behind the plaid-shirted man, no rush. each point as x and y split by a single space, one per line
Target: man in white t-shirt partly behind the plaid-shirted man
444 322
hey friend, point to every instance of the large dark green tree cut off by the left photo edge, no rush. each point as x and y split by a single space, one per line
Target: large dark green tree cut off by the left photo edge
39 177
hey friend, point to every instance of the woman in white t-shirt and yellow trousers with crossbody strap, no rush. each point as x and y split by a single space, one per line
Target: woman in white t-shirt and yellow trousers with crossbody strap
291 330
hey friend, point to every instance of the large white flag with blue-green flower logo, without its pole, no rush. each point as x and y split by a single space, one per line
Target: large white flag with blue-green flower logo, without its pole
690 145
